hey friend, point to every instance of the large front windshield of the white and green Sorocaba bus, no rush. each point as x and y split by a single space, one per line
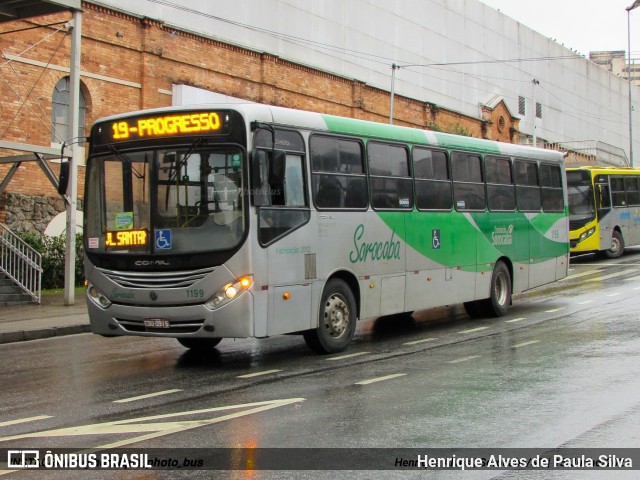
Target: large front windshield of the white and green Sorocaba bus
165 201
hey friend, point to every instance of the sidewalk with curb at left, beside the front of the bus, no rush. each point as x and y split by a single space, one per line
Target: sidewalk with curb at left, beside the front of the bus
49 319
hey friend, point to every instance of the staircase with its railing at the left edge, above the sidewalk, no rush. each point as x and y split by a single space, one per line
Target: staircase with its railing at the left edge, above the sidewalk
20 270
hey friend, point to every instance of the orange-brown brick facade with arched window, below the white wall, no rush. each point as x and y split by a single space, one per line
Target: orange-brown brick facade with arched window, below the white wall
131 62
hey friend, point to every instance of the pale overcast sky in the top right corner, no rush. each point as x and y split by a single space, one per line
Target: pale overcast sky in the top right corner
581 25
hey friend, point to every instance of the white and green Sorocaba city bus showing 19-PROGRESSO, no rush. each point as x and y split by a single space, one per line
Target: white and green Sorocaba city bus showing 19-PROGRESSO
229 221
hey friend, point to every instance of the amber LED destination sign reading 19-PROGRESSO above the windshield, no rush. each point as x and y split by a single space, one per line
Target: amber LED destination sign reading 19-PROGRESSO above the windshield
164 125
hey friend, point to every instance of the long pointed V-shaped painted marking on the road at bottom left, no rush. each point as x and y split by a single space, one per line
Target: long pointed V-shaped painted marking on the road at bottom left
156 429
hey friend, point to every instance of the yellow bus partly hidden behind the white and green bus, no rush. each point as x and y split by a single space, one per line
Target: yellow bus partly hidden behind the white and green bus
604 205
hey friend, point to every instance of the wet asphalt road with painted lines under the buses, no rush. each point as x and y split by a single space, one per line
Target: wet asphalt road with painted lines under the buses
560 370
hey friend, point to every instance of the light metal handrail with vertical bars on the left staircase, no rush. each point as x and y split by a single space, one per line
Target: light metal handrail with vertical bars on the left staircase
21 263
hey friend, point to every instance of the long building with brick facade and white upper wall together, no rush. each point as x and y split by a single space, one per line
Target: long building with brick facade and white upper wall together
458 66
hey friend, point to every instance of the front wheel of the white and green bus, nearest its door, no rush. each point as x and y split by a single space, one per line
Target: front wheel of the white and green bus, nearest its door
336 319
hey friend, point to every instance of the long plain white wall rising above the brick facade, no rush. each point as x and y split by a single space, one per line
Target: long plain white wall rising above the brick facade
362 38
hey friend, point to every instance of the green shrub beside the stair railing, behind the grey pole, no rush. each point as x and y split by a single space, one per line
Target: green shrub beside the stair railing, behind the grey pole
53 250
